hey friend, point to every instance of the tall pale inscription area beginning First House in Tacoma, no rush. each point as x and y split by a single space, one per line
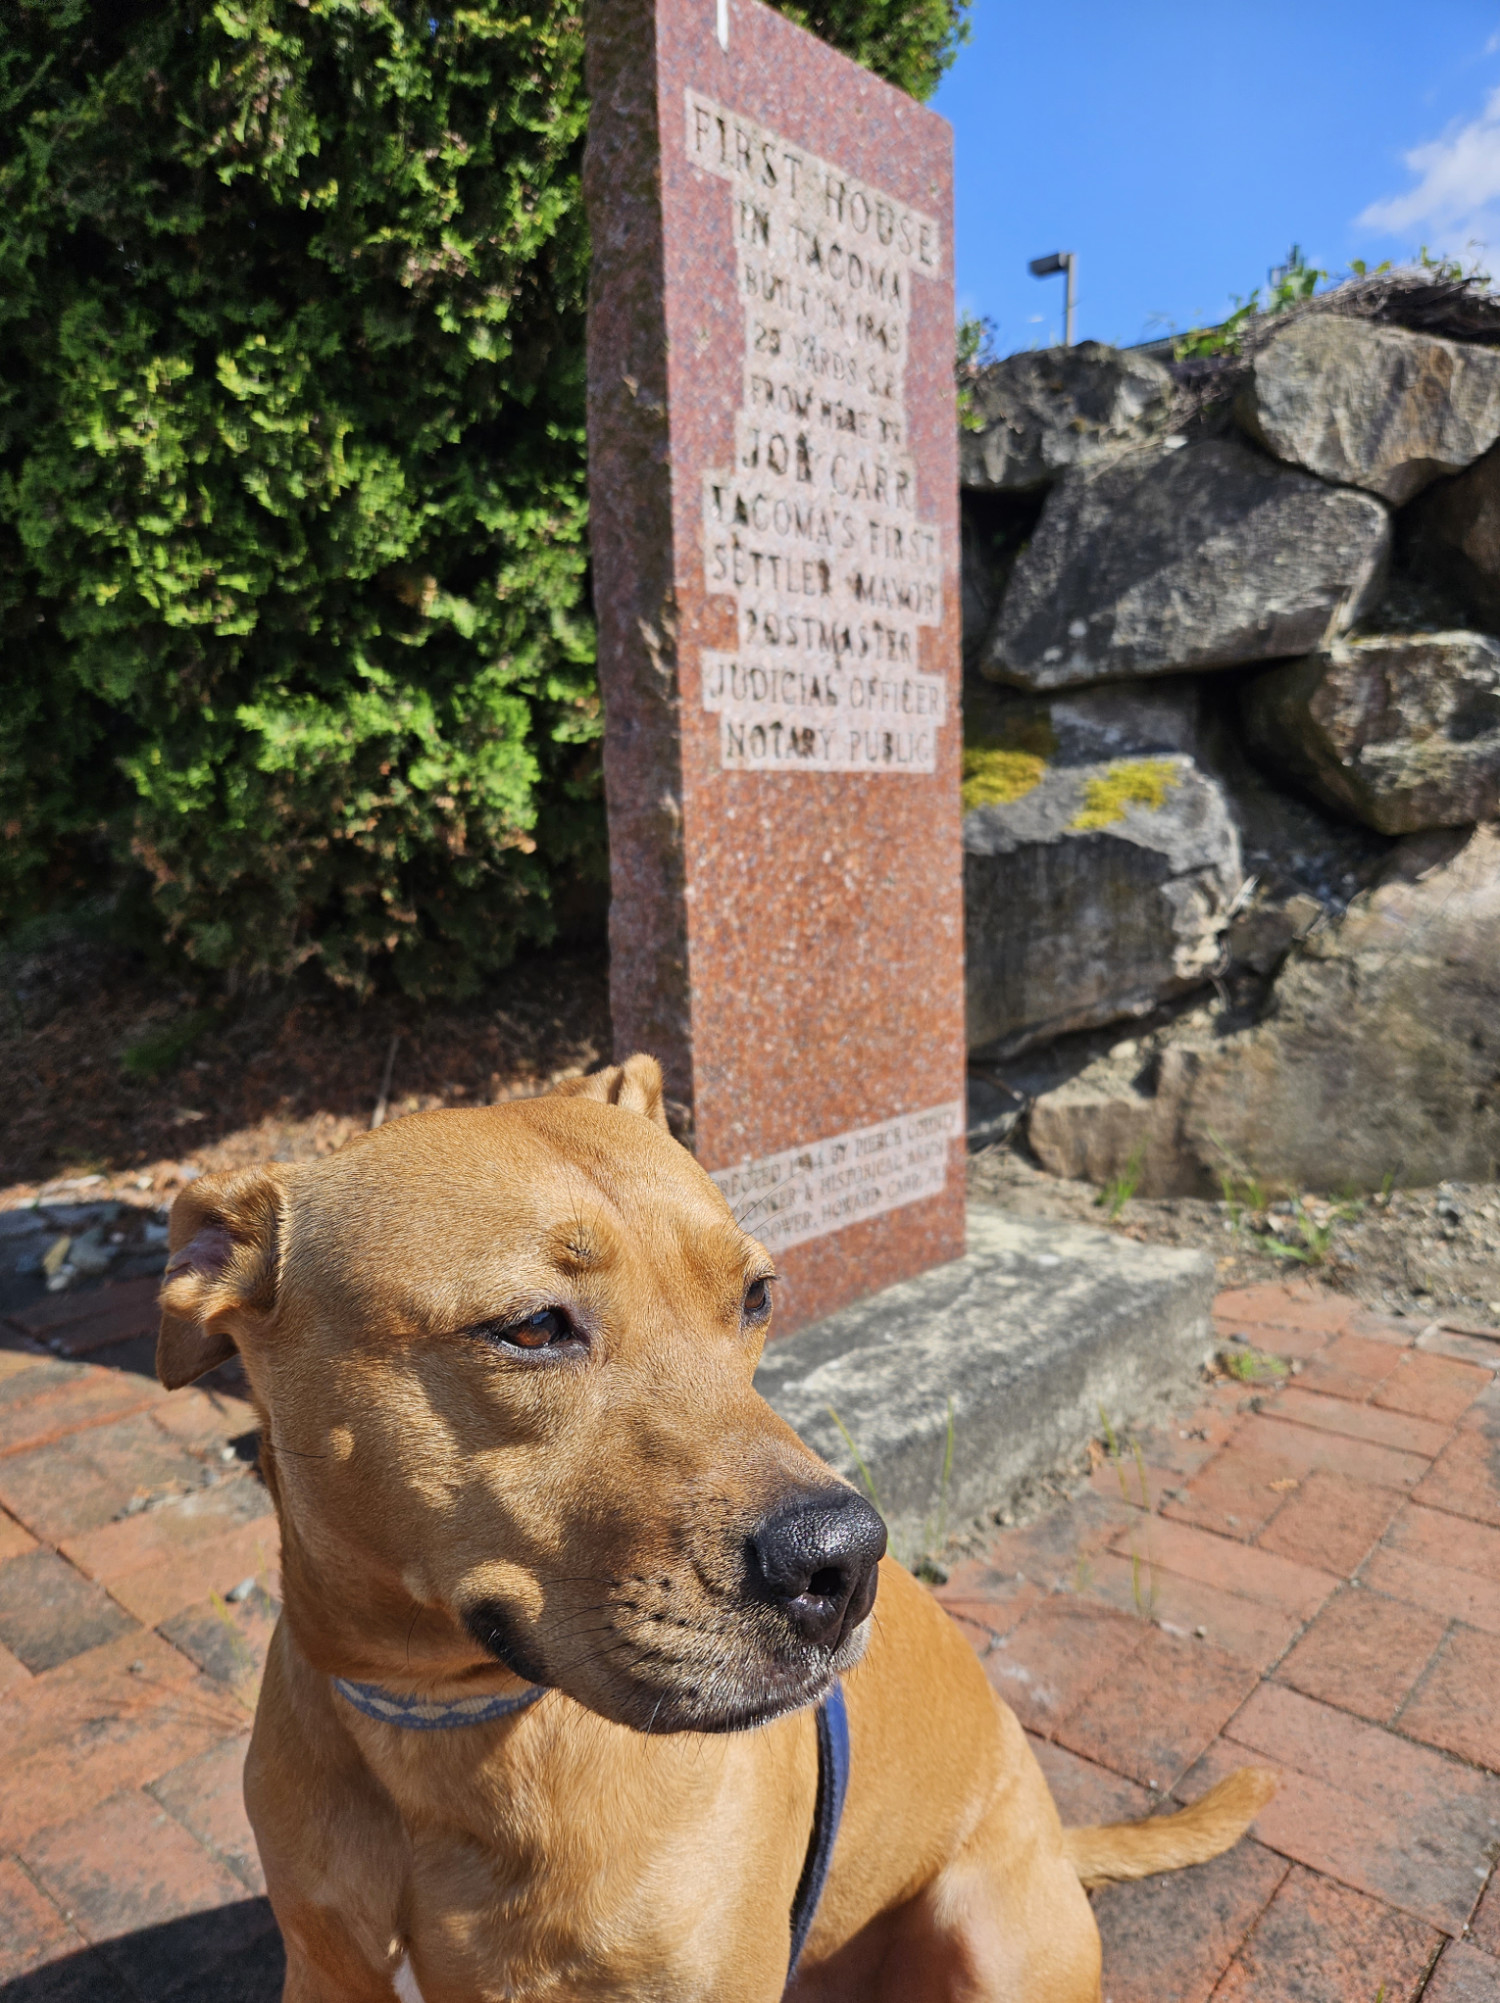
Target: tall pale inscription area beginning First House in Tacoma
814 530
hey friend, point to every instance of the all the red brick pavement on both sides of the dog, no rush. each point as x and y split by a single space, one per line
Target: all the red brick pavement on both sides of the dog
1301 1571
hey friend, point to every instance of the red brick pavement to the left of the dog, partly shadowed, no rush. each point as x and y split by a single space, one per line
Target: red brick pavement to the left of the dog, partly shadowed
137 1577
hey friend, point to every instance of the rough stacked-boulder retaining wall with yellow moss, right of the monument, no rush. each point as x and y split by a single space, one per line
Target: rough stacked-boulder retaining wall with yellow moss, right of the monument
1233 752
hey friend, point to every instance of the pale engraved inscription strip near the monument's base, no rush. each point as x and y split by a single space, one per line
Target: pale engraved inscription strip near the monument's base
806 1193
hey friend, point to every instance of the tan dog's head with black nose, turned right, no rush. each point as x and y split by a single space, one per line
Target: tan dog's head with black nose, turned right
504 1363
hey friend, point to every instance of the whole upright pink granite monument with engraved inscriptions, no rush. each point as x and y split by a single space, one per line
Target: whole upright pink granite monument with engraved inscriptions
774 520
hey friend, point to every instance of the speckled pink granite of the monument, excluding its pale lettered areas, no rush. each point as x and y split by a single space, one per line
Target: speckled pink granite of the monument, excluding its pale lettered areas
788 942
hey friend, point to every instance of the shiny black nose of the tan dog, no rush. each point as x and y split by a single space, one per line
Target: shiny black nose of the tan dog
816 1561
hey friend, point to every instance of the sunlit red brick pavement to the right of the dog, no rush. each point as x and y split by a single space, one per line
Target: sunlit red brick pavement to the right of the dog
1303 1573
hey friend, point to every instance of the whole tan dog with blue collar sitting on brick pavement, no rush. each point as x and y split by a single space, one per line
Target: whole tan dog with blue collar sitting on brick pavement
504 1371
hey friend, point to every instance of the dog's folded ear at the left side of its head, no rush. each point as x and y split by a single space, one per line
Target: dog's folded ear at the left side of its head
223 1245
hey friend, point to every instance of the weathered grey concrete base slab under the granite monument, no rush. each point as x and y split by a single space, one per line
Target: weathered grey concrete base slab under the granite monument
1024 1339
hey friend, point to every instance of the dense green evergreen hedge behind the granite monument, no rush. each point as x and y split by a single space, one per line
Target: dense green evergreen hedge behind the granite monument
293 536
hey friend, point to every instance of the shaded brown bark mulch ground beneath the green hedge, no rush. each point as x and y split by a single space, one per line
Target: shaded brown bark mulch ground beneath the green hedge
121 1081
